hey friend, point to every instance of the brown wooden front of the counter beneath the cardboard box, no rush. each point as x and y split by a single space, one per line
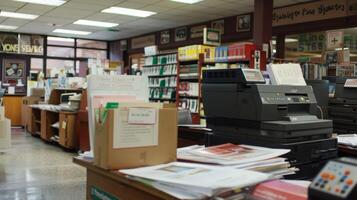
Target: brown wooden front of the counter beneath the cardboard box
113 185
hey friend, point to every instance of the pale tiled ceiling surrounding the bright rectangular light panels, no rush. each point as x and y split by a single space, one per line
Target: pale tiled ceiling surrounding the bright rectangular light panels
169 15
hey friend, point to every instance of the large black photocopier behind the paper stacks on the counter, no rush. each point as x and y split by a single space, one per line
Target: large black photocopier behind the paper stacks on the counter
240 108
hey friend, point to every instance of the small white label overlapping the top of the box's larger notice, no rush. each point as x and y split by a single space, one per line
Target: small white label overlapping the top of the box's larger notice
142 116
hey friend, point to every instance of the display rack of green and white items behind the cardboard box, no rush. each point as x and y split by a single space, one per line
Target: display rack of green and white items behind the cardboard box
162 70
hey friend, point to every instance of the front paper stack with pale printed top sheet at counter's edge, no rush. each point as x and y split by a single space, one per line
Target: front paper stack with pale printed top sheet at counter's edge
195 181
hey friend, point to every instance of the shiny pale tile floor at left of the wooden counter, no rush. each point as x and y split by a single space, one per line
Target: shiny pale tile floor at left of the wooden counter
33 170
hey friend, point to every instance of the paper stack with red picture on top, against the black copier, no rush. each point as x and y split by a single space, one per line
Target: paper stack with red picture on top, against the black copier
240 157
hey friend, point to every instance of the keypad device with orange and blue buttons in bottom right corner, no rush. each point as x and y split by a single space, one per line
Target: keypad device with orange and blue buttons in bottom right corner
336 181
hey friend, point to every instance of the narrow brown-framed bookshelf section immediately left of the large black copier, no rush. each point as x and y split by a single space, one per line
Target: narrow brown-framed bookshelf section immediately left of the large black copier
189 86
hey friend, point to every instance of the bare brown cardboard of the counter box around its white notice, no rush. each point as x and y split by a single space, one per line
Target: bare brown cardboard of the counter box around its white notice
107 157
